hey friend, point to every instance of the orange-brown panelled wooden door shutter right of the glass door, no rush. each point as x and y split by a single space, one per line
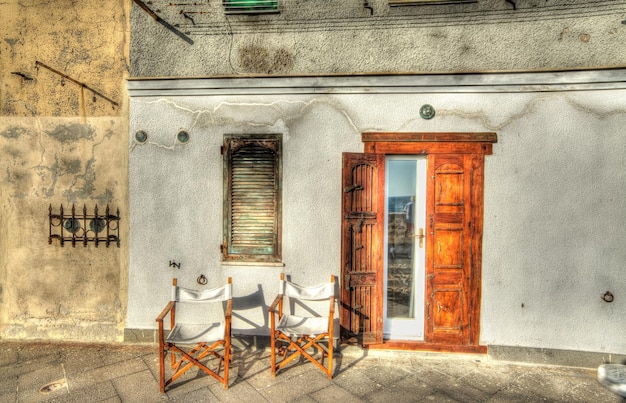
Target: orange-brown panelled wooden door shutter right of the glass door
448 260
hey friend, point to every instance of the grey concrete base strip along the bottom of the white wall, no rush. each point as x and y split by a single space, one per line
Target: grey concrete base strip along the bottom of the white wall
543 356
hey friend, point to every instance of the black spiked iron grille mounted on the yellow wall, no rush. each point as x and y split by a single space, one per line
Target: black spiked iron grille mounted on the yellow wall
84 227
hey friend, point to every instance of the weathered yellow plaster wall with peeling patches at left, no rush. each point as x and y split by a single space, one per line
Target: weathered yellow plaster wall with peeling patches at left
61 144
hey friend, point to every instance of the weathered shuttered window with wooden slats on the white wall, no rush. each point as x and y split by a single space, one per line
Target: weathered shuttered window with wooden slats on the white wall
252 176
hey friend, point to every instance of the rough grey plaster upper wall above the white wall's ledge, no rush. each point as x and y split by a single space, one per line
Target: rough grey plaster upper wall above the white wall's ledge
320 37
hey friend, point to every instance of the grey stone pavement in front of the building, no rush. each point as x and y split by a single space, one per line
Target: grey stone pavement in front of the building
55 372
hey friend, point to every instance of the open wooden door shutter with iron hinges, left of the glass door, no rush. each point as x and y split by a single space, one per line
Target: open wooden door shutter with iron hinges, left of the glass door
362 246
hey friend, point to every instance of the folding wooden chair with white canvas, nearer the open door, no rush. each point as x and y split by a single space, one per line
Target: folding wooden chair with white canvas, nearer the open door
294 335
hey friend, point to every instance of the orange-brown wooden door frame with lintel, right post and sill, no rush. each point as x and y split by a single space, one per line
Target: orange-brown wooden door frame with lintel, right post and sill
417 143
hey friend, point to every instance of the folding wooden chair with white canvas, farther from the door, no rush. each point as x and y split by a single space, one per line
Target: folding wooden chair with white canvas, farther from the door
207 334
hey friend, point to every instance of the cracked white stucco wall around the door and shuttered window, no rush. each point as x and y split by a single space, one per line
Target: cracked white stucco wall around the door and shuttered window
554 189
